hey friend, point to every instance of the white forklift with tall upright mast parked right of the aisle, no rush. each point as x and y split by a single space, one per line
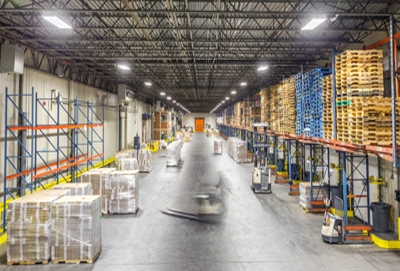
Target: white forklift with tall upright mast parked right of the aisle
261 174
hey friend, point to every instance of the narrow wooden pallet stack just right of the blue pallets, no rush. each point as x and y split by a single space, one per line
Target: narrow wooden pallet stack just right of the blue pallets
327 115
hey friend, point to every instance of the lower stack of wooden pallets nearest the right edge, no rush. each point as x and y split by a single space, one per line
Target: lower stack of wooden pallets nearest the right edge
370 120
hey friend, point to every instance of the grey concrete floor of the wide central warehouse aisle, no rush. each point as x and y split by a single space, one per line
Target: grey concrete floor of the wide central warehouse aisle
263 232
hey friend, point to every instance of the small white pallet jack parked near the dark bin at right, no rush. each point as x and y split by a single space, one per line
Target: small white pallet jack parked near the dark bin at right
332 226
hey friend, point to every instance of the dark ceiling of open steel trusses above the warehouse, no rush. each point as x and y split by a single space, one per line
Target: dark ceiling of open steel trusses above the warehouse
195 51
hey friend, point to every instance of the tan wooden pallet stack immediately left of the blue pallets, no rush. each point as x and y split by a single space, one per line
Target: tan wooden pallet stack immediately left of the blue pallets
289 106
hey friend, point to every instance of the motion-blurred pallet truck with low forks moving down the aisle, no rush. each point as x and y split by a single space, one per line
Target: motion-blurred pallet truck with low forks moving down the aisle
209 199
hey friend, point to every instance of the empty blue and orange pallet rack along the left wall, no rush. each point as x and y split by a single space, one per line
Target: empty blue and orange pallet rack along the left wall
82 131
